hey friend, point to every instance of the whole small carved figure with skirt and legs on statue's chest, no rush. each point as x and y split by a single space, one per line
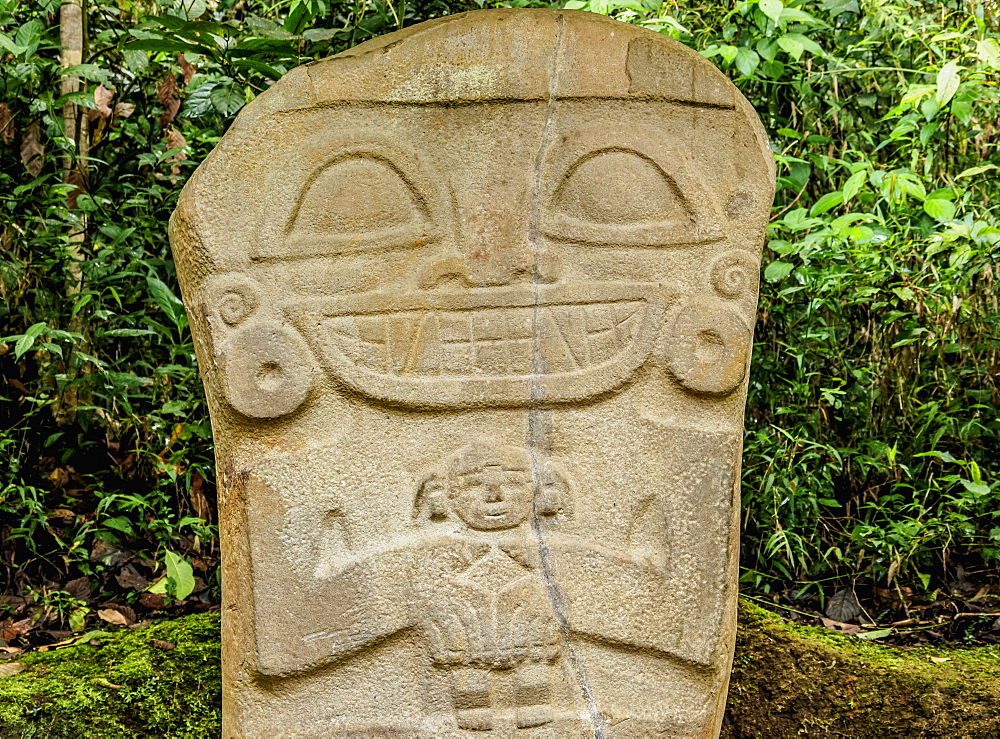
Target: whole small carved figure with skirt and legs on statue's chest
496 614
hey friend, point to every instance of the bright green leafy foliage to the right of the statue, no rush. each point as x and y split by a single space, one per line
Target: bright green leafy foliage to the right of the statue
873 441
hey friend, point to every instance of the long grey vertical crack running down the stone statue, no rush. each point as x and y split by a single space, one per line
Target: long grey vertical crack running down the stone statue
539 425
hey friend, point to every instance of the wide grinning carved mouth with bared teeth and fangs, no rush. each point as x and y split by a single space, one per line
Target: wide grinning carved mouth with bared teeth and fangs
484 346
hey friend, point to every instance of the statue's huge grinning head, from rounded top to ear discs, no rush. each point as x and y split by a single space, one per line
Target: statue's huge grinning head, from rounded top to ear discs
526 220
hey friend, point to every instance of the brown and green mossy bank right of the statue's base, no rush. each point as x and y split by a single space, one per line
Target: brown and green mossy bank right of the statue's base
791 681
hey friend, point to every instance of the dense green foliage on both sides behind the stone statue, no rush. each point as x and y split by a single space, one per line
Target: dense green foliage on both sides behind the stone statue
873 445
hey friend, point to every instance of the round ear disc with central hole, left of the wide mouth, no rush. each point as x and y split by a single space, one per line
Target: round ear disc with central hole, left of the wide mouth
266 370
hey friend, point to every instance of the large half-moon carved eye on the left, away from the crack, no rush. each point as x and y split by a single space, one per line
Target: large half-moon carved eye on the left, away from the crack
358 201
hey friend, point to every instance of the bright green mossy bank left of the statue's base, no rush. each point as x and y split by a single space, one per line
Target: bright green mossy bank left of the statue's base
126 687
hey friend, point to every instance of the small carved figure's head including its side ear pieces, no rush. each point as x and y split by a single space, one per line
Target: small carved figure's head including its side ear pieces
491 488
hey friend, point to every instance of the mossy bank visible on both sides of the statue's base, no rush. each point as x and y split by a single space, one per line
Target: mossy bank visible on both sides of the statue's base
788 681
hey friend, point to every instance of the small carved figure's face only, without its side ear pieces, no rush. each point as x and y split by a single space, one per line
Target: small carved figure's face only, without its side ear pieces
493 498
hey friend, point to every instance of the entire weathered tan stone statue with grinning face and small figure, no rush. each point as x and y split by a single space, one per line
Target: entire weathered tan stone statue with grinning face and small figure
473 306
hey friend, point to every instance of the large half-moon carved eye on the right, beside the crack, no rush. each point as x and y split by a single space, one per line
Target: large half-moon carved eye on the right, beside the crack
621 196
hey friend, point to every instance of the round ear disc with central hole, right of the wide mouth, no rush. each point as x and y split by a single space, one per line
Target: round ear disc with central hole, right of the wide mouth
708 346
